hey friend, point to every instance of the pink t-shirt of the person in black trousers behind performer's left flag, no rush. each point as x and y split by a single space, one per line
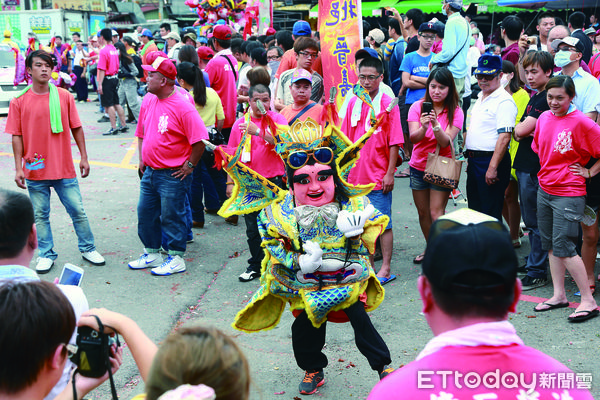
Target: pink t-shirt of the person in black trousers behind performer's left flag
263 158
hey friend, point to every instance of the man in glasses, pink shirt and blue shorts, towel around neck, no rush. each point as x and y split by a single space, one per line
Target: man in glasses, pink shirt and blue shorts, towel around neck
378 157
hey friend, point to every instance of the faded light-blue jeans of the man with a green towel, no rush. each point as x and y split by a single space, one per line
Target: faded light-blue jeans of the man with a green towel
70 196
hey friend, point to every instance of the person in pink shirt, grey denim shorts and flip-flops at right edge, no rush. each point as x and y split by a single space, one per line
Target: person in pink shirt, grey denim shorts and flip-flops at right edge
564 140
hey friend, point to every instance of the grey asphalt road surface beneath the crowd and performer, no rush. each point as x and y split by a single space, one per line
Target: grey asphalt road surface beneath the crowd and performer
209 291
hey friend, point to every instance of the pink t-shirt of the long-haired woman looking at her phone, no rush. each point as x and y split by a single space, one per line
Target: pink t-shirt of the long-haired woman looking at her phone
418 159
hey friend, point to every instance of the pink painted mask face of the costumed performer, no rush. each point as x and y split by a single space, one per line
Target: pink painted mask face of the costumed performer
314 185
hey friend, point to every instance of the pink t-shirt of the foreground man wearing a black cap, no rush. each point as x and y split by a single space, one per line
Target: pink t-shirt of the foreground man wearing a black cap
424 379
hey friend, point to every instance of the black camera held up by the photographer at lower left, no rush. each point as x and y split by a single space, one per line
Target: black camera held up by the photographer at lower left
93 350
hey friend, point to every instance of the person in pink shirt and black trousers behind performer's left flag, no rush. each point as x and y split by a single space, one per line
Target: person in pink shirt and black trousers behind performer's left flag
258 154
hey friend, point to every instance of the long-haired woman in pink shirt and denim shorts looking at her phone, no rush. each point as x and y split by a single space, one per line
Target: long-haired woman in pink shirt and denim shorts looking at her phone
432 121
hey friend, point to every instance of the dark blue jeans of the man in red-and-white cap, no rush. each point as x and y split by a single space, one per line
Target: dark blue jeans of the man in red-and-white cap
162 209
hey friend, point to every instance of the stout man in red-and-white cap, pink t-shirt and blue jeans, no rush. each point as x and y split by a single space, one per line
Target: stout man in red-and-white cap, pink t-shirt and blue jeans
169 134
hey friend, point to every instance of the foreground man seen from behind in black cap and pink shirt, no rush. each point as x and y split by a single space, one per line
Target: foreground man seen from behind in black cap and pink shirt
468 286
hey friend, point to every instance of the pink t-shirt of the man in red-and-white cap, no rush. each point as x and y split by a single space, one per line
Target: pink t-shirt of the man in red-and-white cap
169 128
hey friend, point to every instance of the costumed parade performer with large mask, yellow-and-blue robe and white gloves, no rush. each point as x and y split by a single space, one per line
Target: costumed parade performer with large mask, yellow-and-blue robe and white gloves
317 238
